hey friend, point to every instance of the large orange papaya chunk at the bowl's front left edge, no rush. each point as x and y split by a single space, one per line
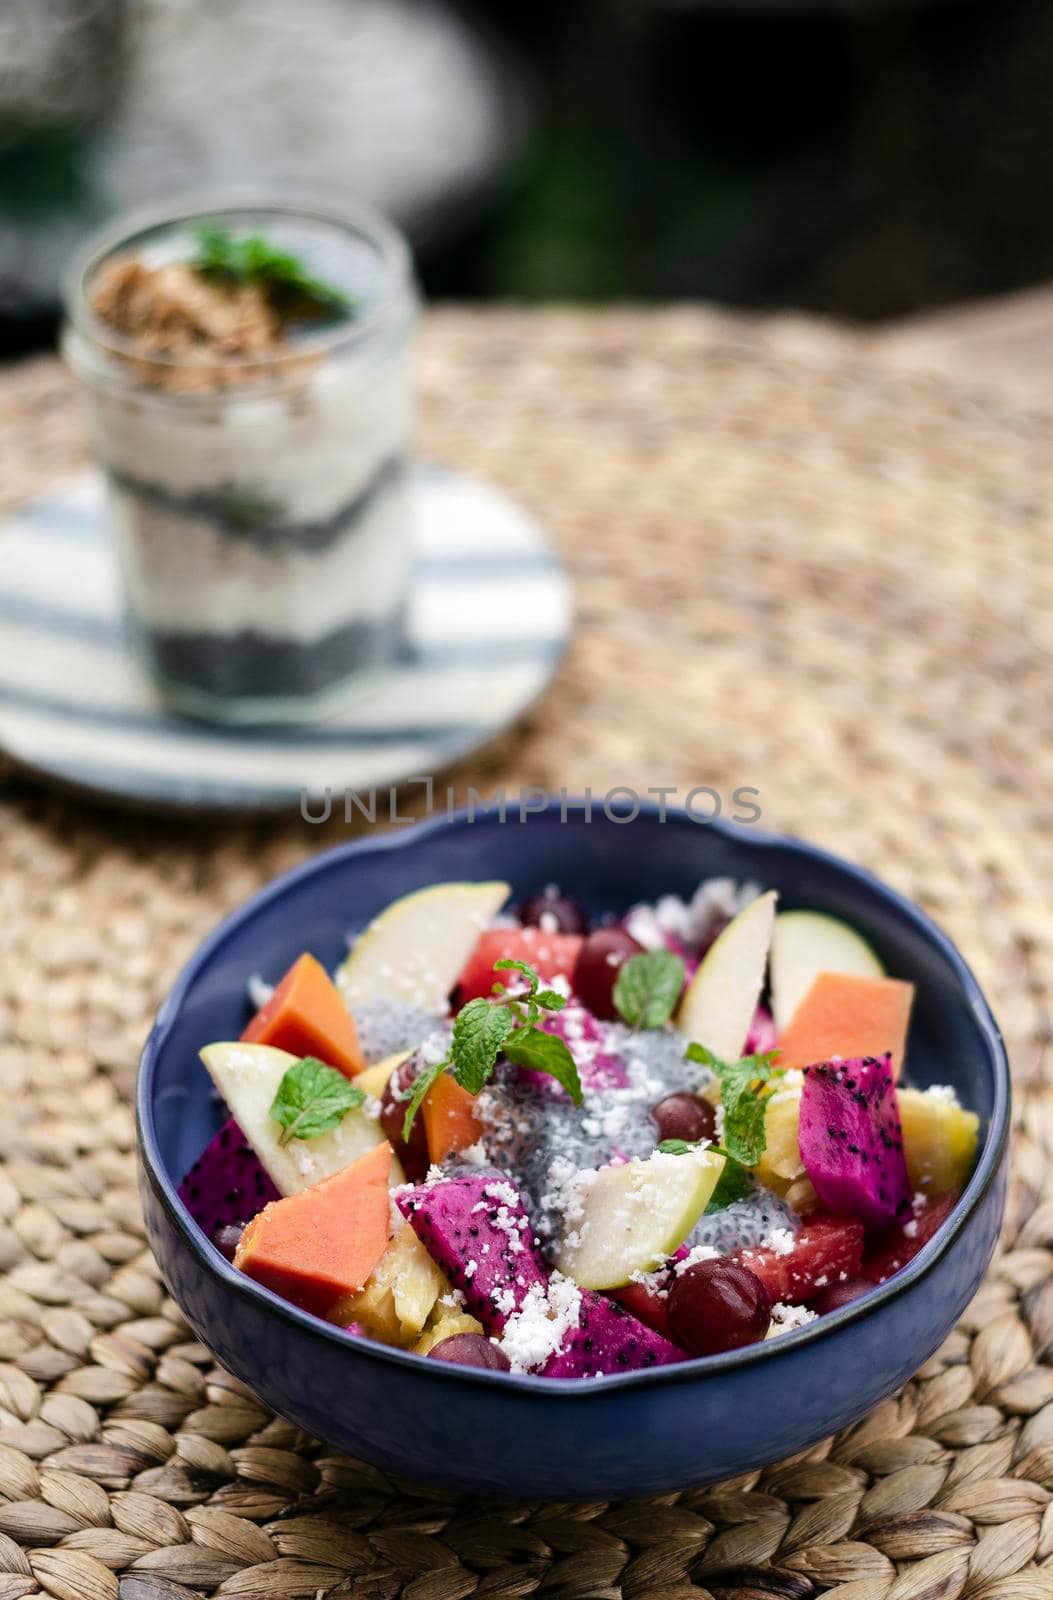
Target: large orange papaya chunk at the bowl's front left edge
324 1242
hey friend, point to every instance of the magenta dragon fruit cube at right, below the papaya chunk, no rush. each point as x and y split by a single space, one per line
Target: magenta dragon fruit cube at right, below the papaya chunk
852 1143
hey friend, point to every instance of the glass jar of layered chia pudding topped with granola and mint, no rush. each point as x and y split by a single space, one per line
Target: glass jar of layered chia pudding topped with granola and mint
249 386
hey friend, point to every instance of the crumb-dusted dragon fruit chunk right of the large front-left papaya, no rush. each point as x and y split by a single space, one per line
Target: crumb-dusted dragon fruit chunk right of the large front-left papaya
476 1230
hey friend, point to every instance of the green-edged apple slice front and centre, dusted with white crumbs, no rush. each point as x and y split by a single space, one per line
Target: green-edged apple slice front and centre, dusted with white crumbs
636 1215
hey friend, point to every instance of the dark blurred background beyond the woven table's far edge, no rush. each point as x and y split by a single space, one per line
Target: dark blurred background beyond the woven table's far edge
867 159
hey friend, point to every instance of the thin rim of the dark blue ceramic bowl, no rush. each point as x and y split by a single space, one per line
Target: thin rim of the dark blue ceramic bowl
214 1265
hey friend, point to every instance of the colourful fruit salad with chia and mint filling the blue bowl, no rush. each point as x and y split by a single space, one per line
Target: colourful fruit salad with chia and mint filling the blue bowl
524 1142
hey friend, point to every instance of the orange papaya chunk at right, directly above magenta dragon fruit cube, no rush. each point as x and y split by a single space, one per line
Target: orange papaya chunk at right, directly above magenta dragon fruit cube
849 1017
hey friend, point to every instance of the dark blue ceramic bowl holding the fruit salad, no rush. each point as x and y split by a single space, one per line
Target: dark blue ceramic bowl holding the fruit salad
617 1438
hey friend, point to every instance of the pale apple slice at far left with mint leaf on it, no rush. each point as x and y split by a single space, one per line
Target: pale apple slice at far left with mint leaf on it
249 1076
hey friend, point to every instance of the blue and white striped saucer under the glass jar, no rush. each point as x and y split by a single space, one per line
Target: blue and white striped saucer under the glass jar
489 622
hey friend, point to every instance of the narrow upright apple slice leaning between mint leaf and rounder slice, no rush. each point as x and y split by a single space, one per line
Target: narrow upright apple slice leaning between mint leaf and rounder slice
719 1004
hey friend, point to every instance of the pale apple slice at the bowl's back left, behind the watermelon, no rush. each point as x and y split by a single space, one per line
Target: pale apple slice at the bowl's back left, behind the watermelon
415 951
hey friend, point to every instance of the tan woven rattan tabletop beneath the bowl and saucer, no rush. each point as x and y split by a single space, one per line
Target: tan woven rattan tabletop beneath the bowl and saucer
796 570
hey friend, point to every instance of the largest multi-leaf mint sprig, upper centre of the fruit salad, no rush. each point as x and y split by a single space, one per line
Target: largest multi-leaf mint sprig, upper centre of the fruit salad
505 1025
